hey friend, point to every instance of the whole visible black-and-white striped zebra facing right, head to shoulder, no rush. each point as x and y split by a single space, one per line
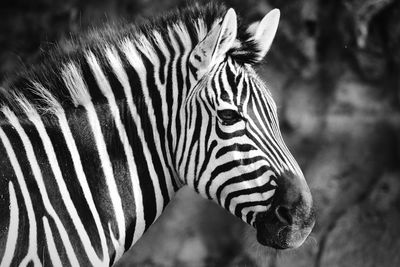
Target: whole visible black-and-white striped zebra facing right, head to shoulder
96 140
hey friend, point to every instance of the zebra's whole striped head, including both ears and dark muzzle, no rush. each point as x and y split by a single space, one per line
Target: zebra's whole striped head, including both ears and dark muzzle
233 152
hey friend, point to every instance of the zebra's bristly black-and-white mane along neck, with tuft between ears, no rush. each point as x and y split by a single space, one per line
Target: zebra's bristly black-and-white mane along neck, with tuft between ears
44 85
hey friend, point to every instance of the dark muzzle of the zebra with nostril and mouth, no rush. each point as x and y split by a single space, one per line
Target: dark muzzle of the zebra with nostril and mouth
291 217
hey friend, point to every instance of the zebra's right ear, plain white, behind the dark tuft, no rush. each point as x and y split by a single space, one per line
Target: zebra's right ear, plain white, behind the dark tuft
264 31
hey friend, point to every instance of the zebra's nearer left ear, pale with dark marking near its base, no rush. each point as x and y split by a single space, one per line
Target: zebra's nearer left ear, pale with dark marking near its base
216 43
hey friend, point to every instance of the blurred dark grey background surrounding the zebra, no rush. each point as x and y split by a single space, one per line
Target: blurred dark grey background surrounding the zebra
334 70
